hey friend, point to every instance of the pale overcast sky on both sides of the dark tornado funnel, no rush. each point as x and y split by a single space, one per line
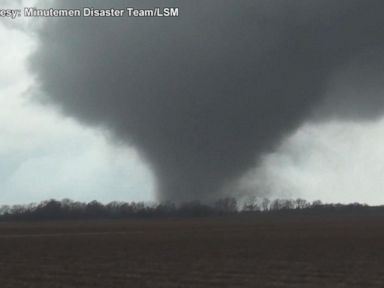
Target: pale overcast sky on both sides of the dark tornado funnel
45 154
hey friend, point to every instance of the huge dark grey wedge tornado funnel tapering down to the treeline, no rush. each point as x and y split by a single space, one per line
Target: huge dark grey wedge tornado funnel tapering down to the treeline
202 96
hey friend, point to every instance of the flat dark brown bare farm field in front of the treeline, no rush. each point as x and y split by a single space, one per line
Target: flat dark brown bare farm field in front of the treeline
242 251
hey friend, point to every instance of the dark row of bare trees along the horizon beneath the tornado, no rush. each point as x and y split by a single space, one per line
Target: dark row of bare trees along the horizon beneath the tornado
68 209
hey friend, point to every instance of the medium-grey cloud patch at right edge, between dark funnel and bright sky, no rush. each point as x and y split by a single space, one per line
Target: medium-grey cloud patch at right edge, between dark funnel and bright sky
355 90
